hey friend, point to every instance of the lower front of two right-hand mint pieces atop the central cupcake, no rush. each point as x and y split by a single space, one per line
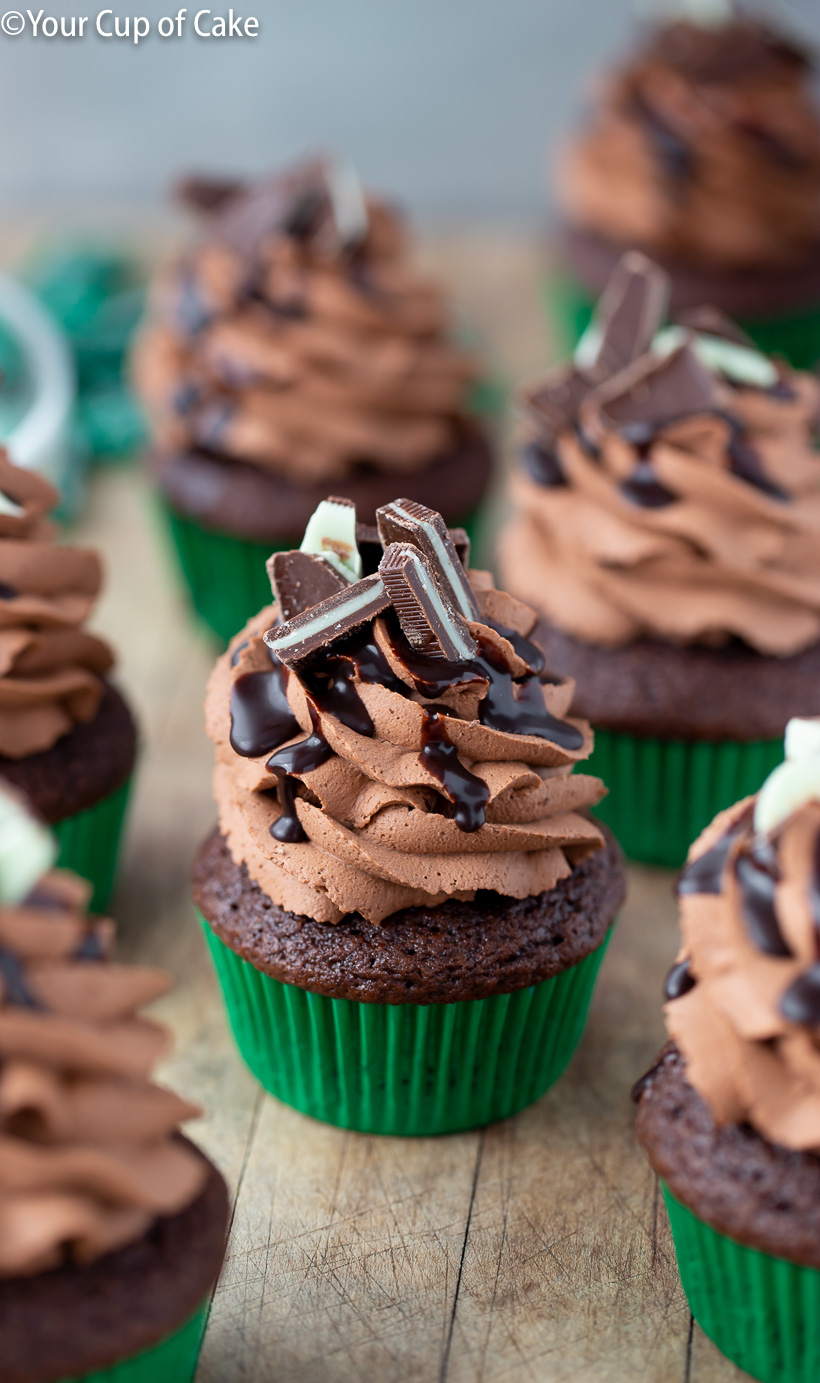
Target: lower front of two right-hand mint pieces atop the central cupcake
428 618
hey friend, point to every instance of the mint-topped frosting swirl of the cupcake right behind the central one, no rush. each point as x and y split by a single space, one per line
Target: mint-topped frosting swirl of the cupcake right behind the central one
695 515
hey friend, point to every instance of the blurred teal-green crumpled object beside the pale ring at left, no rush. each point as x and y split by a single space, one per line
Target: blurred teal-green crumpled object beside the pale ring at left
97 297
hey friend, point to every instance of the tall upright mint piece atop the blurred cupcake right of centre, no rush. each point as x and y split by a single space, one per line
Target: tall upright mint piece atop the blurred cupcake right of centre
630 313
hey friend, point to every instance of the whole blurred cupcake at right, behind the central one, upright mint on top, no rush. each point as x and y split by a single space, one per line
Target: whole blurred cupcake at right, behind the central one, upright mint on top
669 512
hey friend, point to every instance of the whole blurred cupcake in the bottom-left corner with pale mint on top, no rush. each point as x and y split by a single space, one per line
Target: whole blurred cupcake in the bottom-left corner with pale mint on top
113 1226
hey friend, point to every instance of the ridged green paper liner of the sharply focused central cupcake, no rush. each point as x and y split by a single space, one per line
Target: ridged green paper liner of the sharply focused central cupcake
410 1070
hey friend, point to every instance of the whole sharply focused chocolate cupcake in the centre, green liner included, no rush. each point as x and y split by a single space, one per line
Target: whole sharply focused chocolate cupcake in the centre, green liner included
406 900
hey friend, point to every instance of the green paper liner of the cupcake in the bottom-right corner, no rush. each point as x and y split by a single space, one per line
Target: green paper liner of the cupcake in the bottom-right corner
763 1313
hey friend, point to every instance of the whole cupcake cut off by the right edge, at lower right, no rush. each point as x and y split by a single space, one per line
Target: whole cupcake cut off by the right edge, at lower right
731 1114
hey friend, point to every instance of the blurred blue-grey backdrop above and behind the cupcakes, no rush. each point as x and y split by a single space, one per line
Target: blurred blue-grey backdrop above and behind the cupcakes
450 106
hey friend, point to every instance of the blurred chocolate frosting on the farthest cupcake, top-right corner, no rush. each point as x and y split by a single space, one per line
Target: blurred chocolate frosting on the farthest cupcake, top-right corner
705 150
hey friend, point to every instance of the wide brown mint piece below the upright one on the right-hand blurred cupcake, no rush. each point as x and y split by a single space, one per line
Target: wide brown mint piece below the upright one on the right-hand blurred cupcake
659 392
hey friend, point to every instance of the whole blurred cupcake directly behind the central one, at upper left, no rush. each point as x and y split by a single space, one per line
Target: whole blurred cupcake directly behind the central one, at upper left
298 352
